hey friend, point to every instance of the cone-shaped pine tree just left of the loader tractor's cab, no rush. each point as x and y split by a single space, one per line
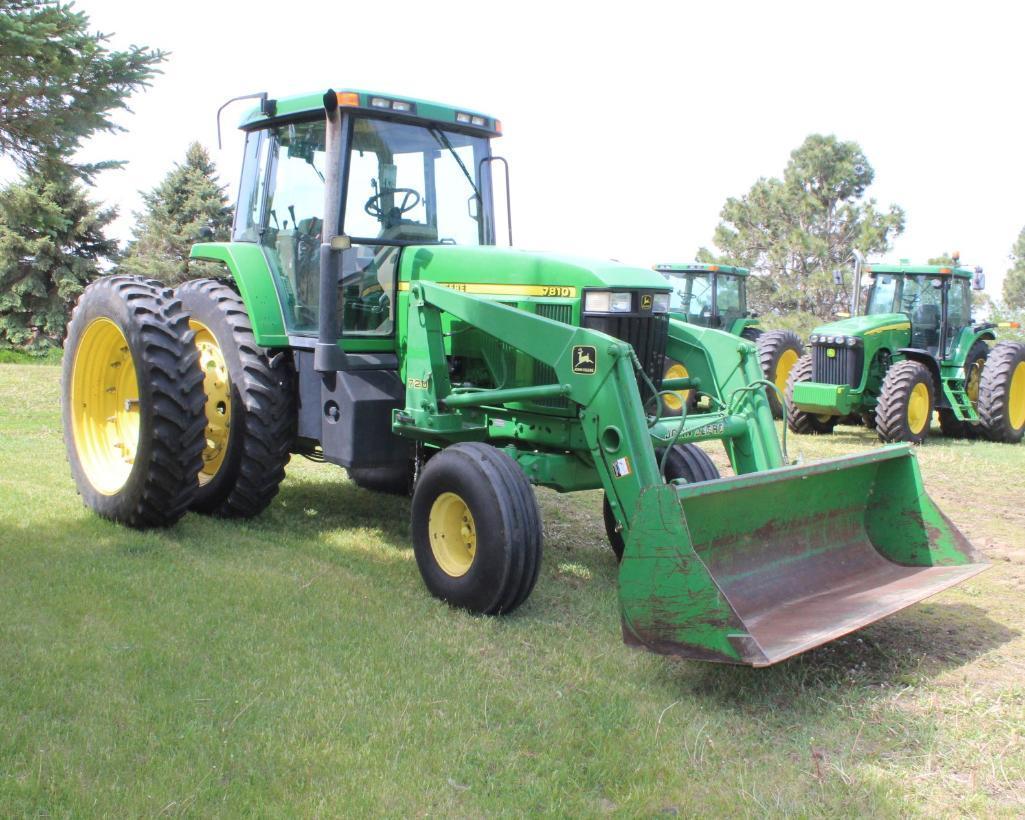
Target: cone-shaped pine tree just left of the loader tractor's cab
189 199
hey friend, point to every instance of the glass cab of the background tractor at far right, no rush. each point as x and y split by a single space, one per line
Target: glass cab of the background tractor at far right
937 301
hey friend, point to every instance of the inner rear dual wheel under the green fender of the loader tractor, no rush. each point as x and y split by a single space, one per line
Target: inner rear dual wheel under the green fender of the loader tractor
251 411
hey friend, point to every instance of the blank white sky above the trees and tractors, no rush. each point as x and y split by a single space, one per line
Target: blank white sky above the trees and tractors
627 126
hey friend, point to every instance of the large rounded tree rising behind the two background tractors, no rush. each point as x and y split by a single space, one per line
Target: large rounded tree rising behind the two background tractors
795 232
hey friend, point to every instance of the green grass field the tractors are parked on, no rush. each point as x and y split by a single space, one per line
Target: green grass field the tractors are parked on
295 665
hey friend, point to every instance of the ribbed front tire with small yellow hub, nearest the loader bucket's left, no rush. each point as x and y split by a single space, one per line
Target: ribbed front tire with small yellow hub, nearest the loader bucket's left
477 529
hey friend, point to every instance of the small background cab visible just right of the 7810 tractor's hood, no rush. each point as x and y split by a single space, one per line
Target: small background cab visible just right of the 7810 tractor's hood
709 296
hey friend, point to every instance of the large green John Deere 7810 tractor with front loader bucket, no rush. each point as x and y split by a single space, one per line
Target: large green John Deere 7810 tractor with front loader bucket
366 318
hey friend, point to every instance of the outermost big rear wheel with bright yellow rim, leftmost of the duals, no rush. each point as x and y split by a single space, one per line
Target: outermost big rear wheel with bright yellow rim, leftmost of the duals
133 402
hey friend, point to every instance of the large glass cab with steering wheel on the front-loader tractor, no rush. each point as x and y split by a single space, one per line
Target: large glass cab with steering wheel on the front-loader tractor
408 173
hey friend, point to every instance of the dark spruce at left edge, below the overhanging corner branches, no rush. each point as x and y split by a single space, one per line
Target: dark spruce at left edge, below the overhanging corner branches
52 245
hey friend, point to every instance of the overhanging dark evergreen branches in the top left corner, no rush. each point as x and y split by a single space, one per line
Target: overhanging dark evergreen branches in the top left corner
61 84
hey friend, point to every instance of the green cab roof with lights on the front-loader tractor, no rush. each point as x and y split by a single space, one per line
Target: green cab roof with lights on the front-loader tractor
389 105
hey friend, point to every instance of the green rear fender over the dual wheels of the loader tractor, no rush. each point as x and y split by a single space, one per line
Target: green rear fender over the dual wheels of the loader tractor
249 267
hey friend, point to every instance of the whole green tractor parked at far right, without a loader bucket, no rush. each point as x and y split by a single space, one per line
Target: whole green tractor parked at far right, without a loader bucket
916 351
